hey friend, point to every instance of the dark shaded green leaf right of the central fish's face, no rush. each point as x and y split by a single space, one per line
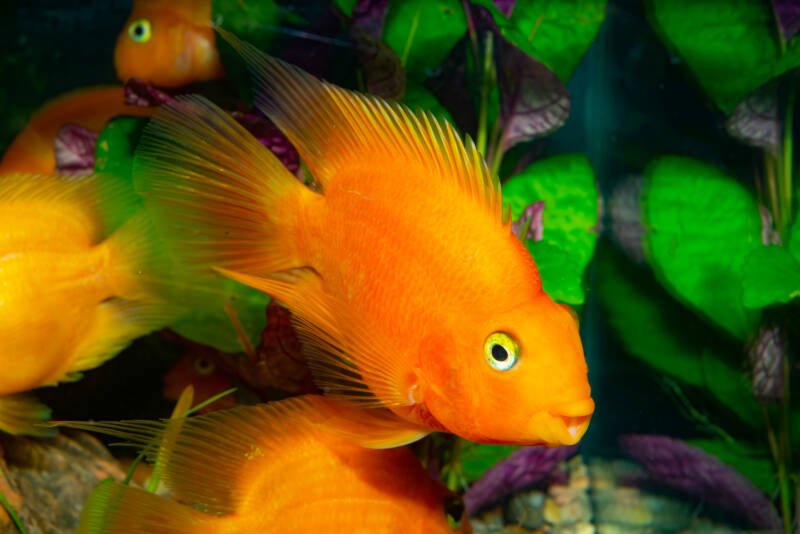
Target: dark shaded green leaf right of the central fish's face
657 330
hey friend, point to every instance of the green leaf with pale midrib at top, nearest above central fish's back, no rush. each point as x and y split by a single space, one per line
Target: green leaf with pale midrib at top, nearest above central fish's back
422 32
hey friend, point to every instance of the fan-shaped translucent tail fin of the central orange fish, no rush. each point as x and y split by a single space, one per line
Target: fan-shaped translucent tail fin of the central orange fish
217 195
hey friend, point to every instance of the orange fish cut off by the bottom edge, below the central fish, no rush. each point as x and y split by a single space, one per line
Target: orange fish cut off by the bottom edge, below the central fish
278 467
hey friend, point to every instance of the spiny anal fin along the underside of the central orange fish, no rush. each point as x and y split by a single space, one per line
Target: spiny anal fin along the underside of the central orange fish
355 366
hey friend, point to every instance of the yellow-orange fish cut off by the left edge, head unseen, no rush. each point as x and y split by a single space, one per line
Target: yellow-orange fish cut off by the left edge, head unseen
72 294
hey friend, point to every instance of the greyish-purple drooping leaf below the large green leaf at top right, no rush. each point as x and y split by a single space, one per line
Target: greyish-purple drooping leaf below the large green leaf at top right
756 121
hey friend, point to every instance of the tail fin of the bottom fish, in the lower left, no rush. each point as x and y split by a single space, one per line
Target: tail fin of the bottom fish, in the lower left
115 508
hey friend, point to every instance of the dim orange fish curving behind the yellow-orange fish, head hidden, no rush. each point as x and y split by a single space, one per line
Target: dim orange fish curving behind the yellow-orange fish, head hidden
32 150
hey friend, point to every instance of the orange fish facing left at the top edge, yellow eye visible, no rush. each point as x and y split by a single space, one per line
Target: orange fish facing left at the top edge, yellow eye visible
168 43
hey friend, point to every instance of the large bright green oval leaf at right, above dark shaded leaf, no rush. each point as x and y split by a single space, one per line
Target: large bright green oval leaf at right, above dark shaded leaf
700 226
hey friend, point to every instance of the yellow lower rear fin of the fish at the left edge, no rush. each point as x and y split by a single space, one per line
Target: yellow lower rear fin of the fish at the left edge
115 324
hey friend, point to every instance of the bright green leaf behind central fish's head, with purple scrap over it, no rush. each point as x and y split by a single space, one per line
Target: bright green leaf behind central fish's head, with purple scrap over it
567 186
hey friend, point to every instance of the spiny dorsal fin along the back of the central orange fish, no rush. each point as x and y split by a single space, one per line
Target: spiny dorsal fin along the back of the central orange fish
336 130
